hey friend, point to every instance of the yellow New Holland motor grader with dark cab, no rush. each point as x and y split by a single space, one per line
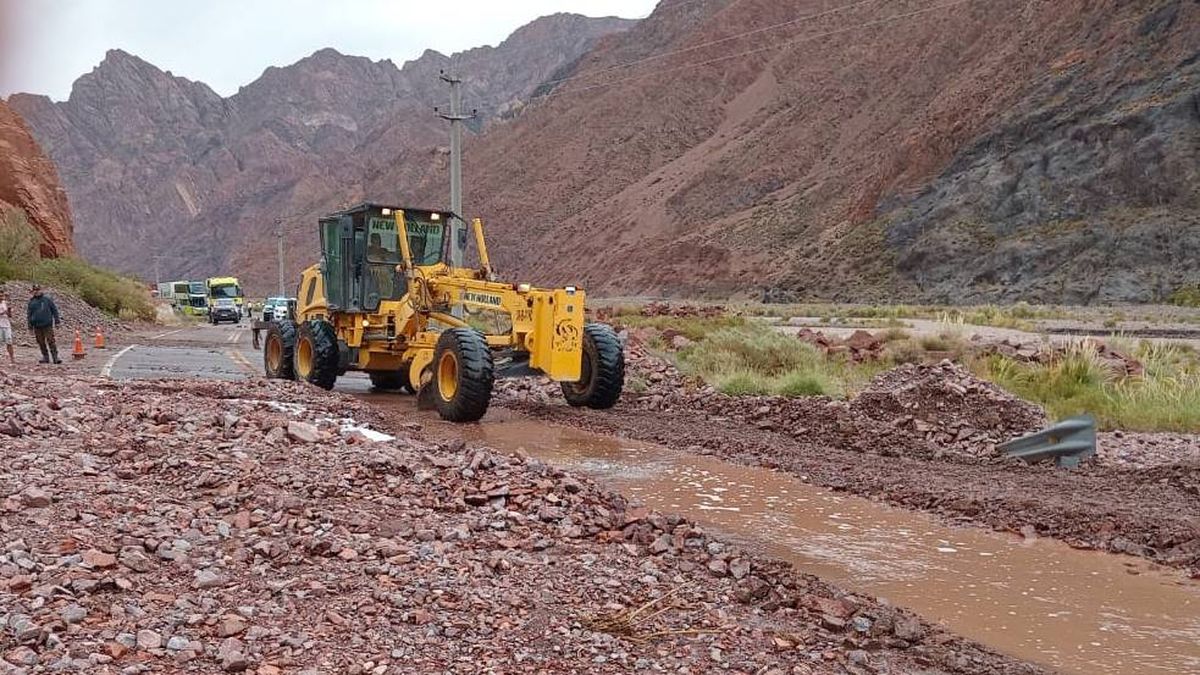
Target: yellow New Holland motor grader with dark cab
385 300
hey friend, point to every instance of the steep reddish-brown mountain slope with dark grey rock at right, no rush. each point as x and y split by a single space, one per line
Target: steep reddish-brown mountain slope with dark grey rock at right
901 151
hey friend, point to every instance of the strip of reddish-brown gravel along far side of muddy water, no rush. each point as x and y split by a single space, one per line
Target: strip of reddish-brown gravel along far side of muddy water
1154 513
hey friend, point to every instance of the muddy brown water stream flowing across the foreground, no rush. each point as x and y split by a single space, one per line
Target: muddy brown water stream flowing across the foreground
1037 600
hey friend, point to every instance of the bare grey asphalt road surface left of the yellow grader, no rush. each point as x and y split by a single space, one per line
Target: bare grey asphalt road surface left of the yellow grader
223 353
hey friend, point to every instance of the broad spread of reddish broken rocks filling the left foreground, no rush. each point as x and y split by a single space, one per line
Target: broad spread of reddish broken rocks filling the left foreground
256 528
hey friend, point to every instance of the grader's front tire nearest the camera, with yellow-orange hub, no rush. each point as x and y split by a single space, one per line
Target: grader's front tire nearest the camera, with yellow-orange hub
463 375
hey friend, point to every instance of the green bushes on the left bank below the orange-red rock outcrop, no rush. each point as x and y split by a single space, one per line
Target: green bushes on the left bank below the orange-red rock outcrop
20 260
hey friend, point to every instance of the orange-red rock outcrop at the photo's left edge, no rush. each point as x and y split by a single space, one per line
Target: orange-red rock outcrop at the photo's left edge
29 182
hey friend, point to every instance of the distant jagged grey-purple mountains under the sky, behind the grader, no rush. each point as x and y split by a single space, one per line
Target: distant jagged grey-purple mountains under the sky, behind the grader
157 163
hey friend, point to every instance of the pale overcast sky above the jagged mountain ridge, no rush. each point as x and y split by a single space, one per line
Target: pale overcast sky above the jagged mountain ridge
45 45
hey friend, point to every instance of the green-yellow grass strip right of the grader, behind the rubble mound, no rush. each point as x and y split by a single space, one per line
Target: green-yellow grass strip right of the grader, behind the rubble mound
745 357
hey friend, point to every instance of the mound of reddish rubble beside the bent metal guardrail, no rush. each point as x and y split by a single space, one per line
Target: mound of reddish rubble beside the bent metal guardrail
947 407
